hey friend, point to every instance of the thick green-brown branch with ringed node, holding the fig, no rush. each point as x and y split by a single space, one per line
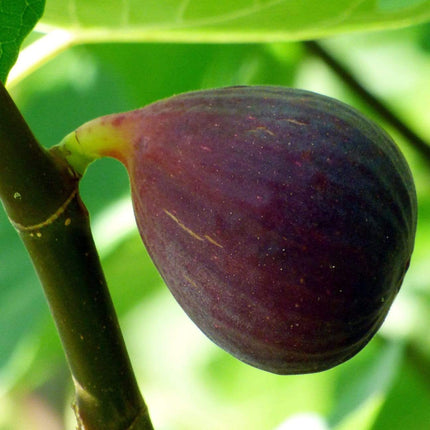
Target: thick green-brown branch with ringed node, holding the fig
40 194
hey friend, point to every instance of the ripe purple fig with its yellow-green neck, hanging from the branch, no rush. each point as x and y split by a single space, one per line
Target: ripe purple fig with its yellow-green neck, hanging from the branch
282 221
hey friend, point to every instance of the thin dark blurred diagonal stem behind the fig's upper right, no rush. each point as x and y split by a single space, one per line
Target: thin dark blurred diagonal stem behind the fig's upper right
385 112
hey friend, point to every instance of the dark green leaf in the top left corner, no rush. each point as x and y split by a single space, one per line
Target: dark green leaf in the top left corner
17 18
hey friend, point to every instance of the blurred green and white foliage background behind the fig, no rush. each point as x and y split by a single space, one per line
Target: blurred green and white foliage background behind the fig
189 383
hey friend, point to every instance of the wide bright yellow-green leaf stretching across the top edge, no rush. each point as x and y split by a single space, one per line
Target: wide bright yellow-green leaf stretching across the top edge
224 20
